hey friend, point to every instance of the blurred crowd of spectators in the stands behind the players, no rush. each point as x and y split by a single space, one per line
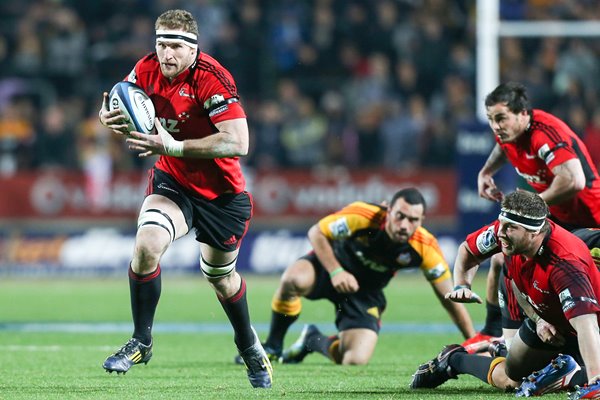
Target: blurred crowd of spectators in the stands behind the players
356 83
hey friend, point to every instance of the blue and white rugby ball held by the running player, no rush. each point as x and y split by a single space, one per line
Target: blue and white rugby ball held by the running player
135 104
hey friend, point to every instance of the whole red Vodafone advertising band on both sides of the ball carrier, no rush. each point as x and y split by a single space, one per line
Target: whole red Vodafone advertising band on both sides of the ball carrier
300 194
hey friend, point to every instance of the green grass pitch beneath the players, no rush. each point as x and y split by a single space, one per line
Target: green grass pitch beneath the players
55 333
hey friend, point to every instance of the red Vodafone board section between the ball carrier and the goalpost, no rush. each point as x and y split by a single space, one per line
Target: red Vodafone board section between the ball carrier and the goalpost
302 193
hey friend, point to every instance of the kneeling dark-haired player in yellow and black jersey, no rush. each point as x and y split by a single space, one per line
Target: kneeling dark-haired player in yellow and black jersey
356 252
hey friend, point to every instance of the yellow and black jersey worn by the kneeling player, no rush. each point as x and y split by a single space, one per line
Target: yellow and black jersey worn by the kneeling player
360 243
